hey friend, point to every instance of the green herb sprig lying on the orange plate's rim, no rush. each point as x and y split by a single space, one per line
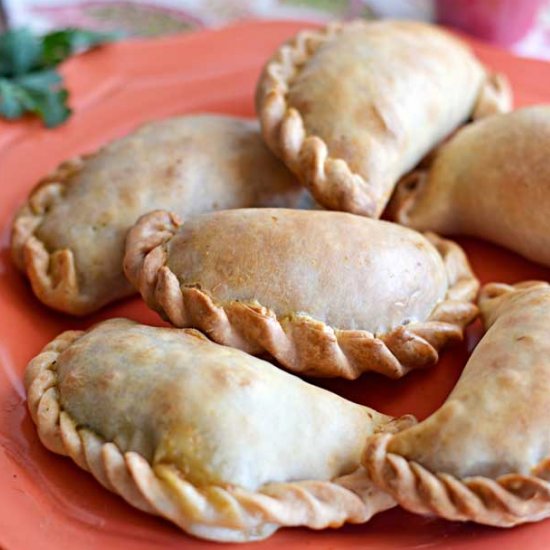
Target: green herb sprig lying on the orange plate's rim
29 80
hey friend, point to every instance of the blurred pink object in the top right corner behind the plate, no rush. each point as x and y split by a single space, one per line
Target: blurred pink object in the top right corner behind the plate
500 21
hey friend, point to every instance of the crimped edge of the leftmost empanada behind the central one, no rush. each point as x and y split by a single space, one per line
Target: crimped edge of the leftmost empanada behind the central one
52 275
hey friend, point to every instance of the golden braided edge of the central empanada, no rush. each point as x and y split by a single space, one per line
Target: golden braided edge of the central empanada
299 342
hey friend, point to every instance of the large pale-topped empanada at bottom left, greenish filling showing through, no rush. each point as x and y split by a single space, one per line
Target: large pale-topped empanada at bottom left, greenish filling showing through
225 445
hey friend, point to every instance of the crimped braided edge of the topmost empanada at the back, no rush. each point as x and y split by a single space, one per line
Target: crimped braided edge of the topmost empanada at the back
331 181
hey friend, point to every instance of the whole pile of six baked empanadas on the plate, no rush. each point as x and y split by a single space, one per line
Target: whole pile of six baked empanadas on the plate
200 423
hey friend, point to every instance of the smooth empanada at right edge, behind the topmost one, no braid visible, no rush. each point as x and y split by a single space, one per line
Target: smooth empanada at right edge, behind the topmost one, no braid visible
491 180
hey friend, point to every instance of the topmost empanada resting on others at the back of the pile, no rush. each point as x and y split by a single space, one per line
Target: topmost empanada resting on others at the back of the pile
352 107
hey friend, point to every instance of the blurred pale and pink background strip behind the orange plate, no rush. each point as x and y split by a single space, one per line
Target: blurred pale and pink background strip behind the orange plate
520 25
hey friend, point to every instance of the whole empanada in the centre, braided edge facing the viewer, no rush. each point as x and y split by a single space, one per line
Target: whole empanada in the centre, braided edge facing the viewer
324 293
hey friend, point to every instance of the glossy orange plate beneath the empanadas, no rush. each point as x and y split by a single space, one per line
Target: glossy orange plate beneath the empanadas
46 501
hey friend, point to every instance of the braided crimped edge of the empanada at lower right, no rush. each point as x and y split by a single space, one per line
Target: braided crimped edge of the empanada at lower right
503 501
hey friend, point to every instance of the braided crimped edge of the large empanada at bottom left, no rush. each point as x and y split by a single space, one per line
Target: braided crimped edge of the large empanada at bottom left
224 513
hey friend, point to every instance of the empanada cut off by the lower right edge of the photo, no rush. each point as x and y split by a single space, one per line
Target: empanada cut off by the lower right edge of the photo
485 454
